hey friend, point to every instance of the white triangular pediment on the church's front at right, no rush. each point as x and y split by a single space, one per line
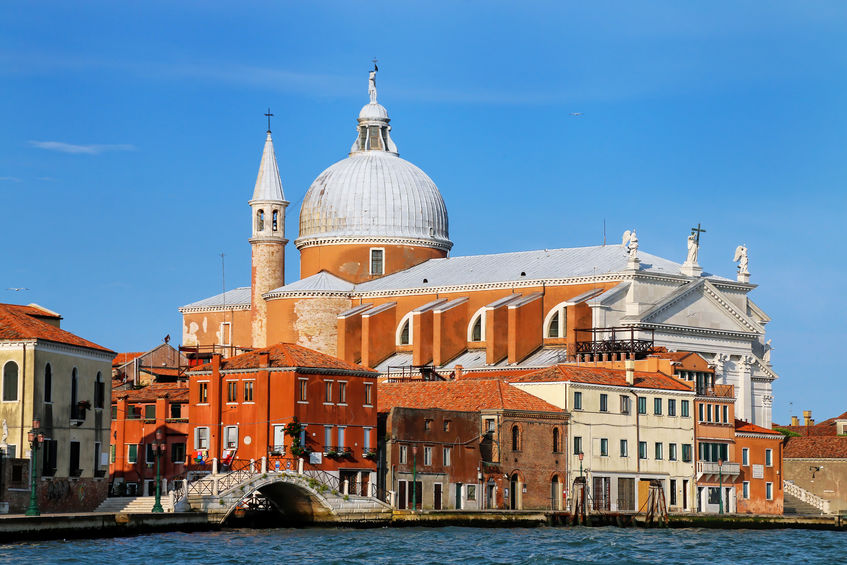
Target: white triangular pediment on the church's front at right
700 305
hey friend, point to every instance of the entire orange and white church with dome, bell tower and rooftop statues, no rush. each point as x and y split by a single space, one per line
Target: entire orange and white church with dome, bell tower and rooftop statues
378 287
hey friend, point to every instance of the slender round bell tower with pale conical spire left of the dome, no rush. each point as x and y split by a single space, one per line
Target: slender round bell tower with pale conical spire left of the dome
268 239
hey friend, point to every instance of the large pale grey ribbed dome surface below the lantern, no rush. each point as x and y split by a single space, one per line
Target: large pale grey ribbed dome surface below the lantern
374 194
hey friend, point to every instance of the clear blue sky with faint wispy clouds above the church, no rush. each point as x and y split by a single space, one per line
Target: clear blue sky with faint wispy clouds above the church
131 136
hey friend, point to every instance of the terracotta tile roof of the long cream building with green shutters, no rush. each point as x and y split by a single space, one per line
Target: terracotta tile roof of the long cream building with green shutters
602 376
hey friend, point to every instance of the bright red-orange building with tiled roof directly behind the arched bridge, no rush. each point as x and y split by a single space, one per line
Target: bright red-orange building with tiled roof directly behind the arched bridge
286 402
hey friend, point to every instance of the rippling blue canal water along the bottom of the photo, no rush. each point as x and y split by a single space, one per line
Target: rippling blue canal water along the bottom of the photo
445 545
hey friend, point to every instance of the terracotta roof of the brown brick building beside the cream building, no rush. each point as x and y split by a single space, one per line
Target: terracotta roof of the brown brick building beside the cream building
464 395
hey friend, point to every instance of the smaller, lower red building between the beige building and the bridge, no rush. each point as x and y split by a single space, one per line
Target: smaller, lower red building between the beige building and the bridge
136 417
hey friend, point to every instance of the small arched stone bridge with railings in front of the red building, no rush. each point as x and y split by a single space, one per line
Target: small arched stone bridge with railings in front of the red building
302 496
